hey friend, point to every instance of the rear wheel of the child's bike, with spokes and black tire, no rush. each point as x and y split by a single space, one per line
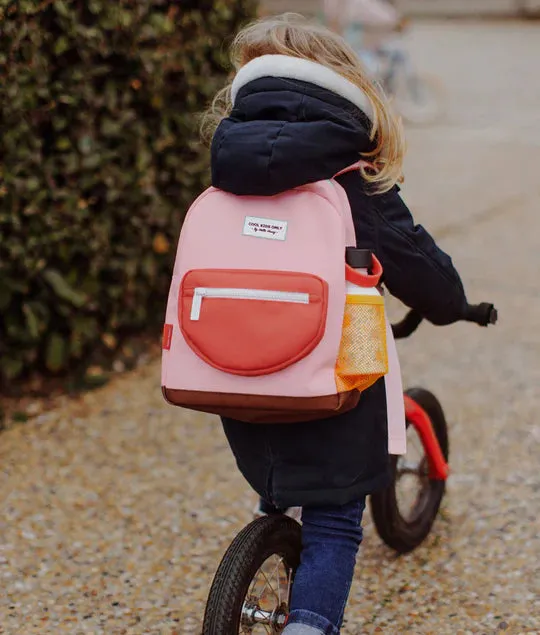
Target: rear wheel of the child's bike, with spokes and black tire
251 590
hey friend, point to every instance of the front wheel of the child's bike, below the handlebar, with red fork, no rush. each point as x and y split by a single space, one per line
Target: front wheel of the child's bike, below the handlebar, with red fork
404 512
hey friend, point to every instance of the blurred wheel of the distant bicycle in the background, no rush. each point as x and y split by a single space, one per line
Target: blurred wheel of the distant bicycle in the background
419 99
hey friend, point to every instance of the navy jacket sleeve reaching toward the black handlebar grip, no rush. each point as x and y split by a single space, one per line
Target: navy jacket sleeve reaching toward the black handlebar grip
416 271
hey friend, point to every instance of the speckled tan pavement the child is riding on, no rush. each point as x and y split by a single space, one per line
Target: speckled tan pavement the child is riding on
116 508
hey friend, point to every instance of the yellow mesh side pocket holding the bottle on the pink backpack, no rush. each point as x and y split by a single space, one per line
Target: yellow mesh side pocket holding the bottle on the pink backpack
363 357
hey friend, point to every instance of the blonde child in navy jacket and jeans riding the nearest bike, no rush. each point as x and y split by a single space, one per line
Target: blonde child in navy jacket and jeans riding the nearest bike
288 122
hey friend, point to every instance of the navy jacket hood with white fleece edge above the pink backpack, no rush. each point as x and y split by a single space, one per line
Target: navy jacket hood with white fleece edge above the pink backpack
293 122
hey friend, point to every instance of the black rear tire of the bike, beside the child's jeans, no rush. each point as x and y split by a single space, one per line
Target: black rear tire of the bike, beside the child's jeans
257 542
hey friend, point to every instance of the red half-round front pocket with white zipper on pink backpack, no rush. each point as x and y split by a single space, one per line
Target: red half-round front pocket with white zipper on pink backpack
252 322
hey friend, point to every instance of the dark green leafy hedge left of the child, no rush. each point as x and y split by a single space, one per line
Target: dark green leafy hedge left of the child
99 158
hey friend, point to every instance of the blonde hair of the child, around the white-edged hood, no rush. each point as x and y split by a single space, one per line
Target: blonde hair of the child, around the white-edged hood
293 35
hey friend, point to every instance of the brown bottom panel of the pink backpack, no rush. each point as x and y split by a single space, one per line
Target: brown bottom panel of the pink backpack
263 408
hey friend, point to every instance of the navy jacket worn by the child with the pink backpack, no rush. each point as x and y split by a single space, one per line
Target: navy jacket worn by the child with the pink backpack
282 134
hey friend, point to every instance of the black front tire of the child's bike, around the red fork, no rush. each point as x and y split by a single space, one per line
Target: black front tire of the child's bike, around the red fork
405 534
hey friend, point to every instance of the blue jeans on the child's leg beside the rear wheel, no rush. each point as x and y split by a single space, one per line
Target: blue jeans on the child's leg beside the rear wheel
330 539
